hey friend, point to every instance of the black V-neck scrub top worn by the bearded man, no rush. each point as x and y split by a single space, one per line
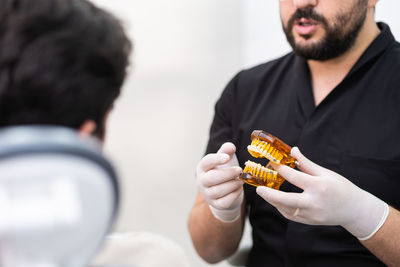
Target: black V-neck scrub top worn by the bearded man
354 131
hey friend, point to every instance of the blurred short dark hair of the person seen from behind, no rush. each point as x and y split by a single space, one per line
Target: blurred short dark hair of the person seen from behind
61 62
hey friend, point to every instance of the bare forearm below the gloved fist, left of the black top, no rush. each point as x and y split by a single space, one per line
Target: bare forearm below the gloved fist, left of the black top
213 240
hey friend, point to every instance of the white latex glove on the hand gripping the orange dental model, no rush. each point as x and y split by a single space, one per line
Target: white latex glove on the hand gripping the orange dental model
328 199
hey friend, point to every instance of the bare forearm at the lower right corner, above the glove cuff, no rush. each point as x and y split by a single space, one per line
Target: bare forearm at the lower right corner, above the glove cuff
385 243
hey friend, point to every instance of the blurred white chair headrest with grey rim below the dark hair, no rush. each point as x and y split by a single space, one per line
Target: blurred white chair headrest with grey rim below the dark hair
58 197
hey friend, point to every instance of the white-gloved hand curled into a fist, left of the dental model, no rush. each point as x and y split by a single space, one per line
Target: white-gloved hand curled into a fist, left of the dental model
217 180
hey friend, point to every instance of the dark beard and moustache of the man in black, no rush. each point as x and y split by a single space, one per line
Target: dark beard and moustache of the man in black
338 38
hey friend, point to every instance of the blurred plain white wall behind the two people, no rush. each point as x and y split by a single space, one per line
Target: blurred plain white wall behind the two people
185 52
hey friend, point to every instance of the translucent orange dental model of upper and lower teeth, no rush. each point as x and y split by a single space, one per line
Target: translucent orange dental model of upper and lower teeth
265 145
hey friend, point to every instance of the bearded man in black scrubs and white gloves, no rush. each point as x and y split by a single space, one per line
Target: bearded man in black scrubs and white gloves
336 99
